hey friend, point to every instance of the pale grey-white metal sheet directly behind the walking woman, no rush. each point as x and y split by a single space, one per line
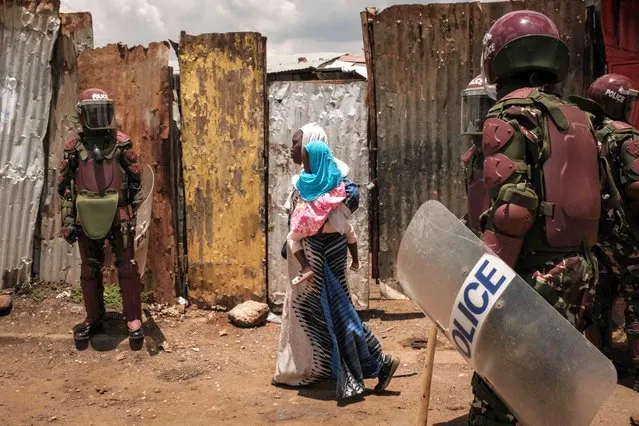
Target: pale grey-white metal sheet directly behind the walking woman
340 108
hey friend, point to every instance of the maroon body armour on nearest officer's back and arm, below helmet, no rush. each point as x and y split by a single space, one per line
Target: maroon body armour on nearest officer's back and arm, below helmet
541 170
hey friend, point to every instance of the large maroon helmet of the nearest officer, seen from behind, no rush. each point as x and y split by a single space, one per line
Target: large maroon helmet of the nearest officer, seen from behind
524 41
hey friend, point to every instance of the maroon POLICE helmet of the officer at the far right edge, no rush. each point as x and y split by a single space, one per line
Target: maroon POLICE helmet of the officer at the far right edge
614 94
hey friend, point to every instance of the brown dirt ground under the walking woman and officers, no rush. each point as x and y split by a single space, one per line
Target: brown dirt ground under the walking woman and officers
198 369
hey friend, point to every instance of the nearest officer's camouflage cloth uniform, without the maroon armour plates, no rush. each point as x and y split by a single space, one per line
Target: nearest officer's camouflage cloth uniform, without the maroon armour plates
565 277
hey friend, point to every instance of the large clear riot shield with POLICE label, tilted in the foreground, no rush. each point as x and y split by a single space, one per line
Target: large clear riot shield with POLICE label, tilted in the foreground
544 370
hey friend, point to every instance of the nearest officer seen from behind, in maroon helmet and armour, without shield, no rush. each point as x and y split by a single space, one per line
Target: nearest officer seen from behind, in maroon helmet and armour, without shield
541 171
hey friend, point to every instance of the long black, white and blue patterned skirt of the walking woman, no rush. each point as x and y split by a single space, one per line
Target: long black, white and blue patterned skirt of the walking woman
322 337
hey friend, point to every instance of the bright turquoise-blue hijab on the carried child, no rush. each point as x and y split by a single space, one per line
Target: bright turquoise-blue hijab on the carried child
324 176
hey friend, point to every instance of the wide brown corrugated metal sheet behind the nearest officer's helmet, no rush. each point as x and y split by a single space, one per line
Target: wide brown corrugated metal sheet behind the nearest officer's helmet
423 56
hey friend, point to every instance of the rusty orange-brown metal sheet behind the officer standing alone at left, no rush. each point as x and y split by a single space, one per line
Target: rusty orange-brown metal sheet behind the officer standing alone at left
137 79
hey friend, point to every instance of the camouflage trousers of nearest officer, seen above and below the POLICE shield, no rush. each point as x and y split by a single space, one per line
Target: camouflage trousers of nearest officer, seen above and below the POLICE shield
566 284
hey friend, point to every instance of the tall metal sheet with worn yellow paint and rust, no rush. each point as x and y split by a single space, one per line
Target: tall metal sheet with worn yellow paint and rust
222 83
